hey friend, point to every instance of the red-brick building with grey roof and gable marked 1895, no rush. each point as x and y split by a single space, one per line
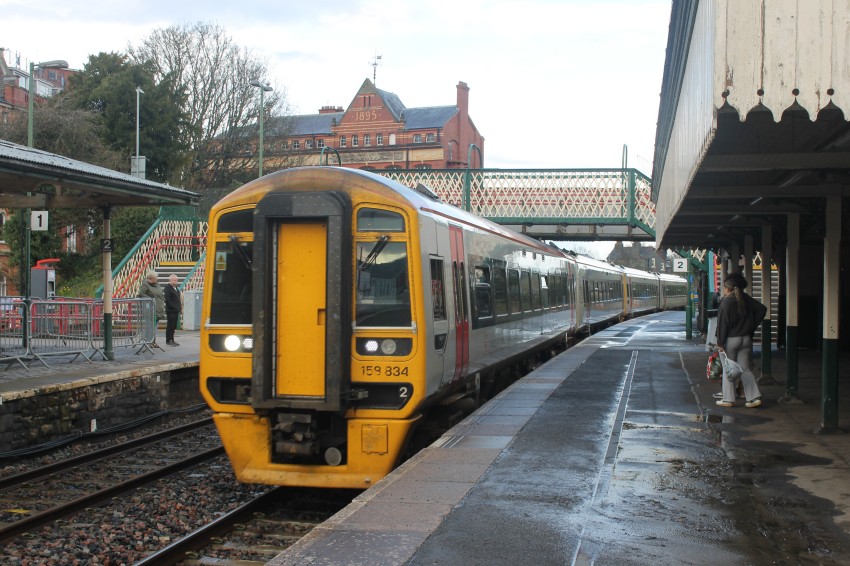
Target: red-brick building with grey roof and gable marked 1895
377 131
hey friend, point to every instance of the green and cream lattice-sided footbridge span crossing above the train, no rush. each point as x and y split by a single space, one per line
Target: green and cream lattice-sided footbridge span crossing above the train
555 204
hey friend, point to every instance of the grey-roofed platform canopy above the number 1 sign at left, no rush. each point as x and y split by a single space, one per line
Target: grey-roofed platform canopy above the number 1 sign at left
30 178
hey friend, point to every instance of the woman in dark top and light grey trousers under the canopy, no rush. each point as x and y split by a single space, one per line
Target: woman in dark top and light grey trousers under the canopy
737 319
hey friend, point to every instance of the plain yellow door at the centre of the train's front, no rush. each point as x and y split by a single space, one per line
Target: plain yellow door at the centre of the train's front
301 308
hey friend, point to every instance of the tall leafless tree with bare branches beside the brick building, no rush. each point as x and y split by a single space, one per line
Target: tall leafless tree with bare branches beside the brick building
221 105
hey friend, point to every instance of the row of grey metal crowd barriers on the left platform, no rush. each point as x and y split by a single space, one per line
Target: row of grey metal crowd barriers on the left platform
36 329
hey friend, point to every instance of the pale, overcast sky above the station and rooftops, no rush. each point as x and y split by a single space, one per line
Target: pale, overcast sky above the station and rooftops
553 83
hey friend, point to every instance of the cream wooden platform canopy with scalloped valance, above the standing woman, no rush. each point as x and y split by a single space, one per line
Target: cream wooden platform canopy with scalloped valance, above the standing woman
753 122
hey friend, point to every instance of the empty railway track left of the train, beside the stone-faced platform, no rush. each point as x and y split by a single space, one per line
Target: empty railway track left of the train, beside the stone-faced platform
37 497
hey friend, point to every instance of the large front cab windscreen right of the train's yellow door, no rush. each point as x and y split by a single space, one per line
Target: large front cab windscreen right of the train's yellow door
383 294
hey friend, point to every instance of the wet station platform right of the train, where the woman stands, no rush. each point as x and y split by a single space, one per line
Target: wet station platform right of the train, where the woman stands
613 452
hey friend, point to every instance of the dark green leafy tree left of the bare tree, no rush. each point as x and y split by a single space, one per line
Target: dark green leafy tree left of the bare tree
107 85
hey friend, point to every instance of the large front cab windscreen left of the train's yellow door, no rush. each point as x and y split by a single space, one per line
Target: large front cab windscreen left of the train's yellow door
232 286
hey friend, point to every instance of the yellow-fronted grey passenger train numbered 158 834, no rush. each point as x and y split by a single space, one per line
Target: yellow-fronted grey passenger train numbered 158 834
342 308
